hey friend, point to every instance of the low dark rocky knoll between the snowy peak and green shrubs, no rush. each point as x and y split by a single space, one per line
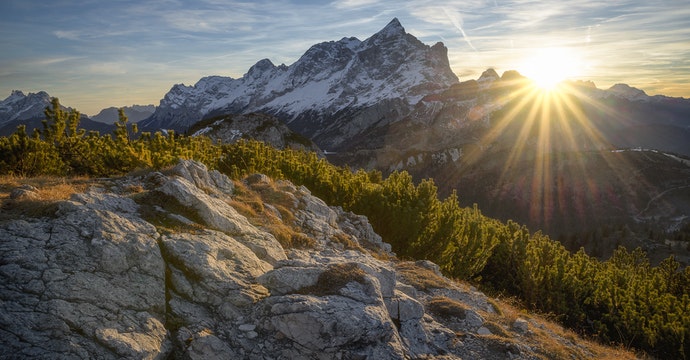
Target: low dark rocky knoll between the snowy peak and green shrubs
230 128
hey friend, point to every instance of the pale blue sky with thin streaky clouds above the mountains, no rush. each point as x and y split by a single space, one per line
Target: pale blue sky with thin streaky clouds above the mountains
94 54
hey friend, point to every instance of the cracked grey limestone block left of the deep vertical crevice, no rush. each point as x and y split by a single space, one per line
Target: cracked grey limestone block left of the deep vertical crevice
88 284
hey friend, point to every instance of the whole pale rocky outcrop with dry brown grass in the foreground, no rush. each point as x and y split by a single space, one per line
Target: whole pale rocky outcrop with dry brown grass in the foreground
176 265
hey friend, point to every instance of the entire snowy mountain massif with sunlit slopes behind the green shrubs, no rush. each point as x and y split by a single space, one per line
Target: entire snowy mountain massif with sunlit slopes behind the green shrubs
392 103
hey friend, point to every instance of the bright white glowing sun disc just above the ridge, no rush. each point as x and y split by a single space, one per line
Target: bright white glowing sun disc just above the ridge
548 67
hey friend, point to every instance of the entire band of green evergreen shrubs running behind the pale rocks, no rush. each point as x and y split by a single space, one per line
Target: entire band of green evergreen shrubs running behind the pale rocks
623 300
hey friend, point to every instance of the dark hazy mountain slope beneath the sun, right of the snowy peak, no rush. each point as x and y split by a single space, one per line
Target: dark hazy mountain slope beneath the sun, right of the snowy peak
555 163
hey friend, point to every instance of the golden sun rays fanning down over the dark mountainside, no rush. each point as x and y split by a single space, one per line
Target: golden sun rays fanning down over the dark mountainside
546 136
